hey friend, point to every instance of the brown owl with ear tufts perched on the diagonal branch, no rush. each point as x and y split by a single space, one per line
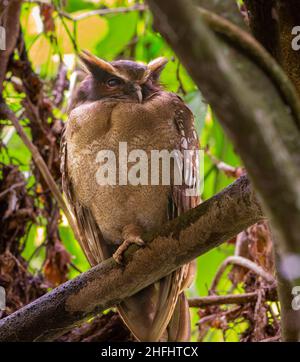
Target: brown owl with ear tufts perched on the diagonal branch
123 102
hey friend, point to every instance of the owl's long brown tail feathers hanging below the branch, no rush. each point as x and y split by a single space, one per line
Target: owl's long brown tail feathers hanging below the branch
160 311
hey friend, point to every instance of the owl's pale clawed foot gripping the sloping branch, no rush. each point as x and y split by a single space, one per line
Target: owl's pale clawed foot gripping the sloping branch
131 234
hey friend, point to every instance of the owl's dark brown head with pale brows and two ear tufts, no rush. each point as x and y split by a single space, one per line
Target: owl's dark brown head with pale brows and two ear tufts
121 79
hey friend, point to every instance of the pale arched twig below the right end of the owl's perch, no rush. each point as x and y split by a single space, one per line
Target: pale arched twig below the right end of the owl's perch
245 263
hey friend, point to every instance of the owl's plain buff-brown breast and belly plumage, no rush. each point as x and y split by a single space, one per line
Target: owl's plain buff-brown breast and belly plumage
110 163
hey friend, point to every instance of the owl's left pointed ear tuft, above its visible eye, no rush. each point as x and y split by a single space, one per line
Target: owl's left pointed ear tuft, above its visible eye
95 65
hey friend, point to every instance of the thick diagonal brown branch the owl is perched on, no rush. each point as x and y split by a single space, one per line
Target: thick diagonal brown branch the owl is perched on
180 241
